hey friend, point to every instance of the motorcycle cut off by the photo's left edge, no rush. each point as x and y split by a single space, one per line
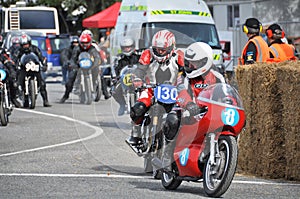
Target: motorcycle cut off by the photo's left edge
5 106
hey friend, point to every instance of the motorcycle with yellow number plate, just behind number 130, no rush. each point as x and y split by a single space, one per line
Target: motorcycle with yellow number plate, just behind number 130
130 83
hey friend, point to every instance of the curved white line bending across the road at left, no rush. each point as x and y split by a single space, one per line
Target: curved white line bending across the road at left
98 131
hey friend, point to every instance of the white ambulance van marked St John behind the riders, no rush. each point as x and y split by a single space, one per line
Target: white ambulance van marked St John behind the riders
189 20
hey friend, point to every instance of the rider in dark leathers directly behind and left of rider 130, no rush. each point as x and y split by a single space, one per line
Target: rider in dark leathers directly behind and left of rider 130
128 57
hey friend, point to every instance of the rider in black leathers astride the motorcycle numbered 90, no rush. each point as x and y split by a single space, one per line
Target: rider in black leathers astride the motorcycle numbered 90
27 47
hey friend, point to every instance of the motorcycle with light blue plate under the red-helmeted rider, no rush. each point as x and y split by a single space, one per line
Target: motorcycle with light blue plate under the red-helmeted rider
90 89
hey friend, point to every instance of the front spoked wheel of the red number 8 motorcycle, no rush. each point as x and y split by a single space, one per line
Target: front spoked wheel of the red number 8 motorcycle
217 178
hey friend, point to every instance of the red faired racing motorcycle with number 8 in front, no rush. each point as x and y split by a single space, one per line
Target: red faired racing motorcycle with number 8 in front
206 145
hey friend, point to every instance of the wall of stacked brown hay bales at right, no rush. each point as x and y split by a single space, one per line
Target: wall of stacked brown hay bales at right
270 146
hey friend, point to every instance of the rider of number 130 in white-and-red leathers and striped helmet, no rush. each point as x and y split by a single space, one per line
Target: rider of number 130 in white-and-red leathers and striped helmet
163 63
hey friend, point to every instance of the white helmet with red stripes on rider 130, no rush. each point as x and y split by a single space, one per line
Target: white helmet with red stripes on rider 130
163 45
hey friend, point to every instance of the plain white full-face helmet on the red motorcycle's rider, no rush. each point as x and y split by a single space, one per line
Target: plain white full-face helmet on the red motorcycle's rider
198 59
